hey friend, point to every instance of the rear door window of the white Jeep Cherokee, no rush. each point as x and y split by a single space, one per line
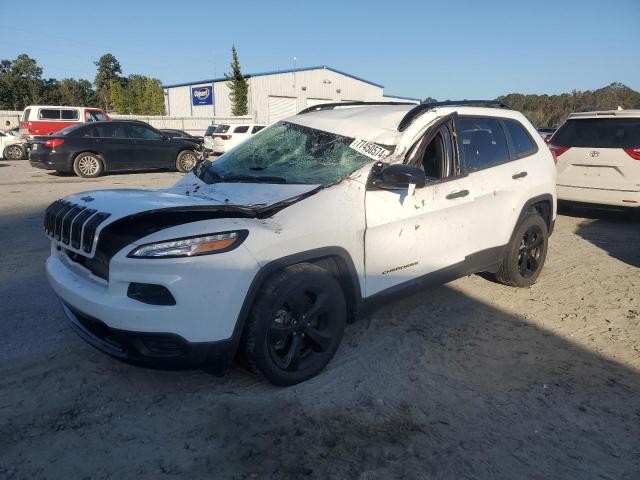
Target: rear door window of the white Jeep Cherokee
483 143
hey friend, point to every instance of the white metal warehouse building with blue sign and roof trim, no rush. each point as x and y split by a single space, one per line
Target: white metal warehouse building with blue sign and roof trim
273 95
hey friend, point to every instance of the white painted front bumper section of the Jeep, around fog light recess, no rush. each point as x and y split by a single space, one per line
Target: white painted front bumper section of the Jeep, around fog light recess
209 292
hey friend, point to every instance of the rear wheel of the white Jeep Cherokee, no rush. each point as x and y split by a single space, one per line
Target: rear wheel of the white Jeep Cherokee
526 253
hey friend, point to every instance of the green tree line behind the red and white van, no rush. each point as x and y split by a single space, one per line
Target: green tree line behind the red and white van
22 84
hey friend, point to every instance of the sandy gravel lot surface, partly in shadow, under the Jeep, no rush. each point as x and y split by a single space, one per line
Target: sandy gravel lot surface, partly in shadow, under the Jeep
468 380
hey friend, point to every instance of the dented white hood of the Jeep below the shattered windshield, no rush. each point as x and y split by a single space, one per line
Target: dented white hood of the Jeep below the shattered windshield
189 192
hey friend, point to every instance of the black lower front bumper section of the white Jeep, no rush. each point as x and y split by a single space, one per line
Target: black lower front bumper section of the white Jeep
152 349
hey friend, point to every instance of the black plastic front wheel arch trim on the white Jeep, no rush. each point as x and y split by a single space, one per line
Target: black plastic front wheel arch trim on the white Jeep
336 260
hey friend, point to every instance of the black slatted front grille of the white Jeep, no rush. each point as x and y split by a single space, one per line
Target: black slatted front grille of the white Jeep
72 224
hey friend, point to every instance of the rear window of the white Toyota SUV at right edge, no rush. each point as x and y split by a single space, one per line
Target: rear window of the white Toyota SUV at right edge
599 133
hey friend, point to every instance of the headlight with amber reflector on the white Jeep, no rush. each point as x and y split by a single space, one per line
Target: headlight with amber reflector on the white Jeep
191 246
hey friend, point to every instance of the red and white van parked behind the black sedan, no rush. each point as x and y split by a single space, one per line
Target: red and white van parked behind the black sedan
48 119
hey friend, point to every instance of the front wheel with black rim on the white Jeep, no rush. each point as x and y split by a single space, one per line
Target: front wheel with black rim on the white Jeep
295 325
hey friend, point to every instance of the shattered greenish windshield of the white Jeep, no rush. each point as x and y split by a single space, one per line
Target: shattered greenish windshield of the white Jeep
287 153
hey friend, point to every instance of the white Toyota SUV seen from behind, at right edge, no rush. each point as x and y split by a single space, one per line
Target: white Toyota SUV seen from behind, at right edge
598 155
